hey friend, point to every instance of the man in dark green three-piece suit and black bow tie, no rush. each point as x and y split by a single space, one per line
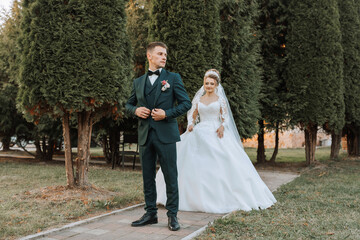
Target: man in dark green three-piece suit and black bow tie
153 100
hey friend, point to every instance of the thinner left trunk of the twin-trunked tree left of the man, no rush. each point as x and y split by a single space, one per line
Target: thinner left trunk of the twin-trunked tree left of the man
70 181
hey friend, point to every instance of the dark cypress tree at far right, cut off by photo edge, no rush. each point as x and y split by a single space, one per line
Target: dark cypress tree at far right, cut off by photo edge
350 29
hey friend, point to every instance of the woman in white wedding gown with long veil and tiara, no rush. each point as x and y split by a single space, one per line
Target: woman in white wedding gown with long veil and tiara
215 174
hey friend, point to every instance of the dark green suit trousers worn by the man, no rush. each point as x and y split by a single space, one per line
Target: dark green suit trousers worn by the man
166 153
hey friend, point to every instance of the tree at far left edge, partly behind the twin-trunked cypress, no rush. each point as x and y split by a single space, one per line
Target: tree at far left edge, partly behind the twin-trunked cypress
12 122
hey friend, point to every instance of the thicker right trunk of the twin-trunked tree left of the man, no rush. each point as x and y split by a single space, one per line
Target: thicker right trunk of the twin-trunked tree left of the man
84 140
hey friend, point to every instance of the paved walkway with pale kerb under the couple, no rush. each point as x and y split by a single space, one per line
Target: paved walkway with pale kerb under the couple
116 225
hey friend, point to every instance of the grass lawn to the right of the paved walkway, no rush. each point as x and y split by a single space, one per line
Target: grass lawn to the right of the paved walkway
323 203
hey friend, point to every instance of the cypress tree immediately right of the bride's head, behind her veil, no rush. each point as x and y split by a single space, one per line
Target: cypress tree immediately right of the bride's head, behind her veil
241 75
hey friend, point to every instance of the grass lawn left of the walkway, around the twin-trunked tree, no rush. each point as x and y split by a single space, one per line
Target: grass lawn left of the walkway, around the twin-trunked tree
20 215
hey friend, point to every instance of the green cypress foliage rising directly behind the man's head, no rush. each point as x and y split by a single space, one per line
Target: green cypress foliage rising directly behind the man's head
190 29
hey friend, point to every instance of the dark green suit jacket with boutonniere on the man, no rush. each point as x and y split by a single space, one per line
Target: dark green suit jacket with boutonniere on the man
167 130
